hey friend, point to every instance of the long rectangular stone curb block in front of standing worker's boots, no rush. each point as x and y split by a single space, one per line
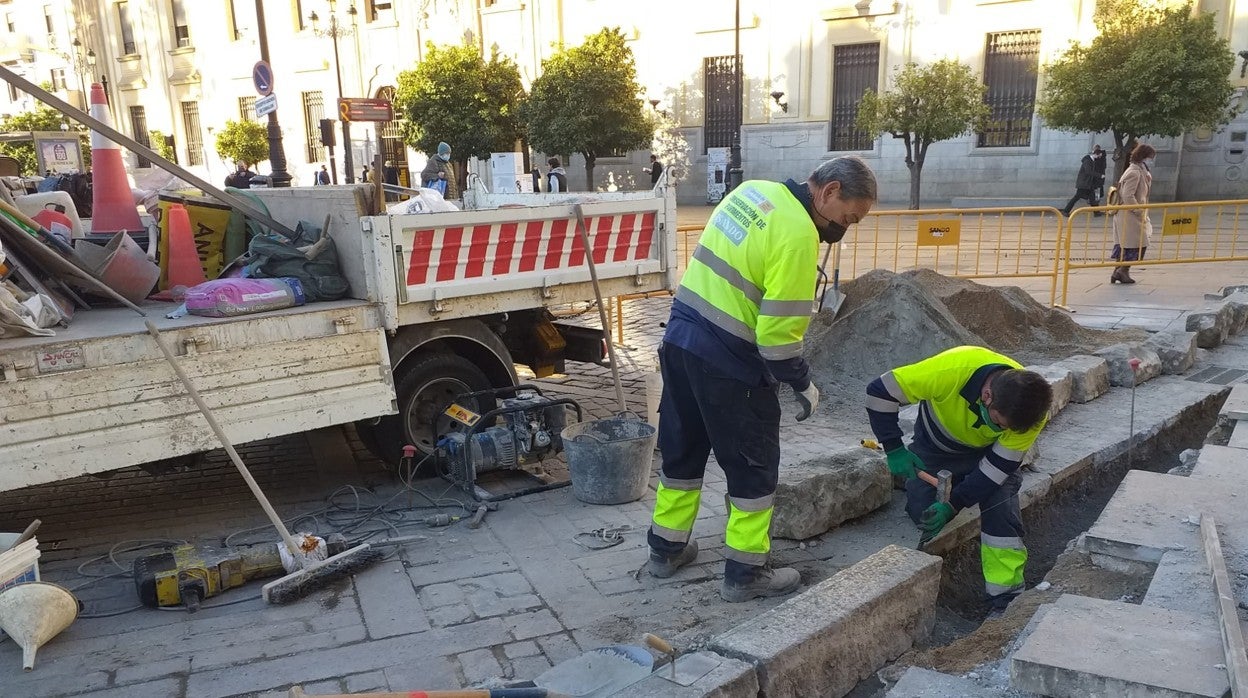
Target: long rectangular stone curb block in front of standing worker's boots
827 640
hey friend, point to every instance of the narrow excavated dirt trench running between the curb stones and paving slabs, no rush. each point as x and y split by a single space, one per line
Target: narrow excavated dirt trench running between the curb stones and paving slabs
962 640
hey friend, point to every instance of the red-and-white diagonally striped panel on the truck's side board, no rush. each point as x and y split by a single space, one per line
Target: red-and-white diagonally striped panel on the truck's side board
440 255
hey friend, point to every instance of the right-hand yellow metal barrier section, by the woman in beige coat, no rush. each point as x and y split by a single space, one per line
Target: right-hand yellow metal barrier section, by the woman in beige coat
1182 233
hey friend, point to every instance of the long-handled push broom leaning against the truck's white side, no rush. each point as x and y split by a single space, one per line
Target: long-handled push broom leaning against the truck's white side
315 574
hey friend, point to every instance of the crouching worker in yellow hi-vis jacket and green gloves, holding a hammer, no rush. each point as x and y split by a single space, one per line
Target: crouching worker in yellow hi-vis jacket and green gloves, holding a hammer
979 414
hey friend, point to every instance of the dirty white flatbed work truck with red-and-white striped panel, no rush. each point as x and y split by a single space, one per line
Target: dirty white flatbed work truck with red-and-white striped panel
441 305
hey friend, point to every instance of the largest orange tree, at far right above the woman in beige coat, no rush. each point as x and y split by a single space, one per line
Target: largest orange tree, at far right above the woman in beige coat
1154 71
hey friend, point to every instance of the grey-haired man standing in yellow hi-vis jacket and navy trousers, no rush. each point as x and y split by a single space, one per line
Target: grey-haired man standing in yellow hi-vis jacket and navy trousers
736 333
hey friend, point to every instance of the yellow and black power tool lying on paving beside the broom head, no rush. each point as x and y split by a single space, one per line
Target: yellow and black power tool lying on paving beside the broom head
188 575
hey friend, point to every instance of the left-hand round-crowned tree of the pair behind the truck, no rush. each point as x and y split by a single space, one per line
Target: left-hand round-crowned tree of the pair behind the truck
457 97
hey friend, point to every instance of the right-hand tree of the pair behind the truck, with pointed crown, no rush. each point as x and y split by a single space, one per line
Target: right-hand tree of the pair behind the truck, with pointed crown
587 101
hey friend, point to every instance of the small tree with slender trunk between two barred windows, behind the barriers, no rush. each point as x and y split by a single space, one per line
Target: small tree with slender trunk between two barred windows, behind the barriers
928 104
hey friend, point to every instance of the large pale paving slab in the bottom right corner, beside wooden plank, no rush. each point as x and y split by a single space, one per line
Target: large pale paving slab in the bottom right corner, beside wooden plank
1093 647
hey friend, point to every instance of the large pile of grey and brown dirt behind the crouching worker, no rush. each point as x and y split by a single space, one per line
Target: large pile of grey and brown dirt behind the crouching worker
890 320
